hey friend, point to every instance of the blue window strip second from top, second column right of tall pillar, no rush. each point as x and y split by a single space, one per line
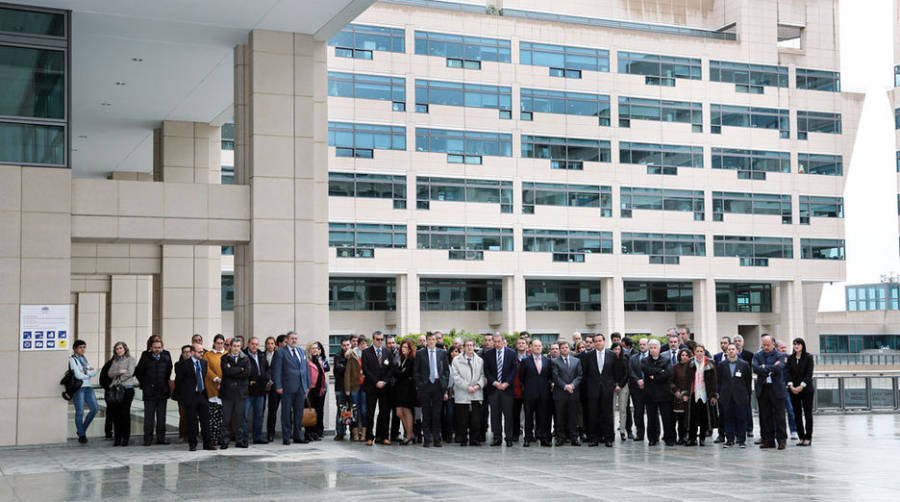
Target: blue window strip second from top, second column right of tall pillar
432 92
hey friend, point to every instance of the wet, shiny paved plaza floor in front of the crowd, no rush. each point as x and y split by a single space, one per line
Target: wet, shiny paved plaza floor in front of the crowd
854 457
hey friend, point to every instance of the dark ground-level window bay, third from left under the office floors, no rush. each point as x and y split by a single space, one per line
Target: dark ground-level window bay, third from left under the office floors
562 296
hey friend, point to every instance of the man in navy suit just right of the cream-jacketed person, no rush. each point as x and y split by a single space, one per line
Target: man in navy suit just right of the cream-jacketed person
500 373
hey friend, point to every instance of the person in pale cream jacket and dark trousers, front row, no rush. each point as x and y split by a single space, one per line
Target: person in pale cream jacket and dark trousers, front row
467 373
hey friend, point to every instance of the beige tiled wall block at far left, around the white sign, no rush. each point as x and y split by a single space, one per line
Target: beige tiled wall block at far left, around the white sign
35 269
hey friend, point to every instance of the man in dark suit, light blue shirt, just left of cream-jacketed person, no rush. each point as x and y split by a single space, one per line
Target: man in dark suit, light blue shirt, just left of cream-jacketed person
432 379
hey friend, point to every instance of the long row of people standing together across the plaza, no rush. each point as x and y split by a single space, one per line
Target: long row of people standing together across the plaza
677 392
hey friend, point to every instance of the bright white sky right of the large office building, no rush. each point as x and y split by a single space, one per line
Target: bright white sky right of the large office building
870 197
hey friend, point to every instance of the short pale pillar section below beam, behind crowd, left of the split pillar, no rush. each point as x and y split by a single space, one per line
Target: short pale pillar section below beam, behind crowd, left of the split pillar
130 311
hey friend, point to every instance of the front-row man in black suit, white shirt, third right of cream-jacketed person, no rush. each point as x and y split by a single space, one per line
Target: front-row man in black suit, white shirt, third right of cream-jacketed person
600 384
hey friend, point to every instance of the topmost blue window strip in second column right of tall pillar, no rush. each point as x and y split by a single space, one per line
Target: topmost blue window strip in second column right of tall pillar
462 48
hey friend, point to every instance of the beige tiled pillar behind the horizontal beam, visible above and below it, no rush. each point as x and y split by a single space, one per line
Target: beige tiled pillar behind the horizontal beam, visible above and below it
190 288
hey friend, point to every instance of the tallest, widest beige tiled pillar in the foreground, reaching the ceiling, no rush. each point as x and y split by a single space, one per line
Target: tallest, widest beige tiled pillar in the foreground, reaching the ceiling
282 145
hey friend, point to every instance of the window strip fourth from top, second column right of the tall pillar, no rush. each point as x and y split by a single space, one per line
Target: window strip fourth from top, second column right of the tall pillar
463 190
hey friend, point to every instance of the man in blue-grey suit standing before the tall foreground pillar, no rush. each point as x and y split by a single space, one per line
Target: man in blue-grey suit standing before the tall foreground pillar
290 372
